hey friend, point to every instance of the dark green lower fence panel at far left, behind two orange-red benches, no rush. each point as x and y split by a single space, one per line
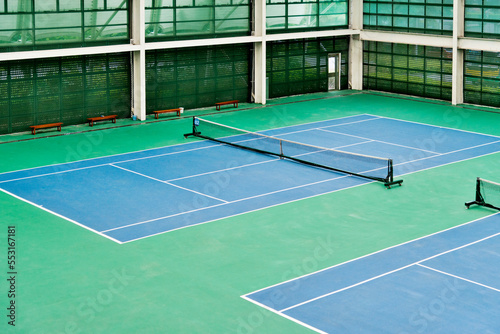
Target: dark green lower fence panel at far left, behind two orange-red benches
66 89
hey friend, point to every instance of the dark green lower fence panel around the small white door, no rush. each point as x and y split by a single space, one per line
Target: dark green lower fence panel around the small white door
300 66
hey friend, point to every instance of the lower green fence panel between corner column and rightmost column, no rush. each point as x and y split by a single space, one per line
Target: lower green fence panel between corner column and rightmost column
408 69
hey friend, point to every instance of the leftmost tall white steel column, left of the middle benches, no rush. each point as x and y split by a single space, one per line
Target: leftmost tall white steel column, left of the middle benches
138 32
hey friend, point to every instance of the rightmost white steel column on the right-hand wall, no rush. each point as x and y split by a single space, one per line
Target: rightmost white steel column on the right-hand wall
457 96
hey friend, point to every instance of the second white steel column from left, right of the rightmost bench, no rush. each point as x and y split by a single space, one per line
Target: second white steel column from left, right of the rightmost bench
259 85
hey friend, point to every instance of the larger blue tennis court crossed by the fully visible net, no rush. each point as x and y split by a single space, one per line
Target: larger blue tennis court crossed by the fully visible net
202 181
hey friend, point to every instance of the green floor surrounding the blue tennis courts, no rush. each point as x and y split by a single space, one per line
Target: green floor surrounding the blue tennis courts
71 280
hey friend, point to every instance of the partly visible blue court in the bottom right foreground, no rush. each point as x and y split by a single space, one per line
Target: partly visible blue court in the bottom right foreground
443 283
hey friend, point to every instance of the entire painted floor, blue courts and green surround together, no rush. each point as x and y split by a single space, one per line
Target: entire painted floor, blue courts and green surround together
322 251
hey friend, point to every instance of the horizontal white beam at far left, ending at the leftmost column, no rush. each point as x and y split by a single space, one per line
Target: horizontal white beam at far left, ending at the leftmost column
94 50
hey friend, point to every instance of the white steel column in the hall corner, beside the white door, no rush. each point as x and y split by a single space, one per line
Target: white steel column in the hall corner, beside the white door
356 45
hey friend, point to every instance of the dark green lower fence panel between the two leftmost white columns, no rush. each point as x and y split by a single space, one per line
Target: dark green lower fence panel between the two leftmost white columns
197 77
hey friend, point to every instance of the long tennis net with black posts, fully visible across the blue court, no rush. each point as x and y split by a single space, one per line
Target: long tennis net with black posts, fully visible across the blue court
373 168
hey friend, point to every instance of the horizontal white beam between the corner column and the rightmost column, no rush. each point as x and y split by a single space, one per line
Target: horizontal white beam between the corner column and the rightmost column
407 38
